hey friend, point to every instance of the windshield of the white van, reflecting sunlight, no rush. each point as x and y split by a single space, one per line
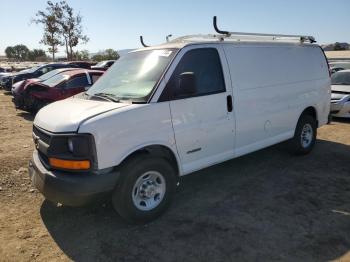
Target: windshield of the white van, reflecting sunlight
134 75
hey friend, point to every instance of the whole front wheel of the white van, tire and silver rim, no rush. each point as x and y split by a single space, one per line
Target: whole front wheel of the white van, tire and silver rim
145 189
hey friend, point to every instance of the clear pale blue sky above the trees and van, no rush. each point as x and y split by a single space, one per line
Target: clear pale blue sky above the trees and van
118 24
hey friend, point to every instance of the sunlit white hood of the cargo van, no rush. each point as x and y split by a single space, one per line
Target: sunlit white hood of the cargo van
67 115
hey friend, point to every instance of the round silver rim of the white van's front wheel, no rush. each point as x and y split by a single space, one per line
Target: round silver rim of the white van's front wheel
149 190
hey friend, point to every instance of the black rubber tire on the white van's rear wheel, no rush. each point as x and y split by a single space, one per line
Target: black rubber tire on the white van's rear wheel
296 145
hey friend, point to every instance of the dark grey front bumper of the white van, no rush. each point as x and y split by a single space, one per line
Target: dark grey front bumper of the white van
68 188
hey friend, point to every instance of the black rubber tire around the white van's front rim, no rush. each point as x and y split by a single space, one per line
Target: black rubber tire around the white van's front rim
122 197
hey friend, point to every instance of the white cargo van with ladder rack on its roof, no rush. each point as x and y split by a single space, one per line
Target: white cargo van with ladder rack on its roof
166 111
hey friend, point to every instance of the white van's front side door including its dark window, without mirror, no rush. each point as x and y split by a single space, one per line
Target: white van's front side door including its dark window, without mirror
202 121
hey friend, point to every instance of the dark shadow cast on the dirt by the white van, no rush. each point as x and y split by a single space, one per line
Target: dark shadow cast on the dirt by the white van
265 206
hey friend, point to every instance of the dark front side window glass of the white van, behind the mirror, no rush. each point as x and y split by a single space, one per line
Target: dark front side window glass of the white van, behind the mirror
205 65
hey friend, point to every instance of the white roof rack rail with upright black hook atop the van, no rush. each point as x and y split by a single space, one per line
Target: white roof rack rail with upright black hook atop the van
260 36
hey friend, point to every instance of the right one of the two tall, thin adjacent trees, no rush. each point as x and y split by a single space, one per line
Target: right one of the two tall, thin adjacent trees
71 28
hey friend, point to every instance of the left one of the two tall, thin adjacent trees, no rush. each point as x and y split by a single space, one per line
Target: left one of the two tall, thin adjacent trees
52 33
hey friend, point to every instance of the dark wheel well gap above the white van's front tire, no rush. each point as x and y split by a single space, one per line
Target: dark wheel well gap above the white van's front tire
156 151
